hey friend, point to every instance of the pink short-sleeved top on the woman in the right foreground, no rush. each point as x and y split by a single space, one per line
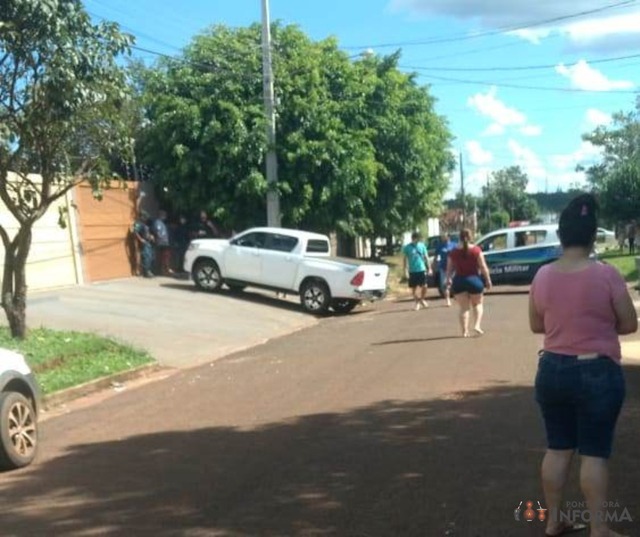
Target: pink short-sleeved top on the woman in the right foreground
577 309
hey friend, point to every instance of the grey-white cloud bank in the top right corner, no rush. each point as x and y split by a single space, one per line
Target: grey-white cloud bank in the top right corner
618 28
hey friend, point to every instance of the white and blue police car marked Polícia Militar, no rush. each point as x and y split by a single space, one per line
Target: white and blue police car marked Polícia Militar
515 254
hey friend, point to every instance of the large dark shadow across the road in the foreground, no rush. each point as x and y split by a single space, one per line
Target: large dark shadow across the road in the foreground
457 466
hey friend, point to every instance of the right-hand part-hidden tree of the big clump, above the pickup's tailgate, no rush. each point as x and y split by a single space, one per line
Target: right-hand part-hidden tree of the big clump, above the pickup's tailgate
411 143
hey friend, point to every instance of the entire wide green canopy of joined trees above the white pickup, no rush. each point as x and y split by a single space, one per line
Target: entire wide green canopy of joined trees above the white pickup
360 148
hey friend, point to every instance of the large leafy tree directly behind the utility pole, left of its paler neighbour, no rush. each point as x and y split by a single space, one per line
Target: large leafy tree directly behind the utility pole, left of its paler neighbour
206 133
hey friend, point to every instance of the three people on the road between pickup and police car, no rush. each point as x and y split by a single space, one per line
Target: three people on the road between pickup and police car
462 271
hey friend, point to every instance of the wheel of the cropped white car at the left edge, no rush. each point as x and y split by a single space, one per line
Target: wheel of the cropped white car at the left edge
18 431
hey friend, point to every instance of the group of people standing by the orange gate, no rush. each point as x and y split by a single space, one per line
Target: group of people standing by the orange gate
163 244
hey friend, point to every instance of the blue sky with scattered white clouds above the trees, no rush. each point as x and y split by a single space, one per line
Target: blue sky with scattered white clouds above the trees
518 82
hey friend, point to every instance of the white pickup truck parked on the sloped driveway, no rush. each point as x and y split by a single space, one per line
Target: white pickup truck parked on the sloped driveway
287 261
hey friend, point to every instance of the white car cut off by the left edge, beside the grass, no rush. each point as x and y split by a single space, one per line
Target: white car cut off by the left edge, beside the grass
19 407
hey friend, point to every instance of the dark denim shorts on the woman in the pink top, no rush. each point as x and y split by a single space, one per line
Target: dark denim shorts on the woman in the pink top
580 400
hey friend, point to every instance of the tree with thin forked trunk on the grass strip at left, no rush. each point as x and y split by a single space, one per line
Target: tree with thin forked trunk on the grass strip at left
61 91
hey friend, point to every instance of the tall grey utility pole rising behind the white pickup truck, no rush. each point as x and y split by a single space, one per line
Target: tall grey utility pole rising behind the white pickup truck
273 198
